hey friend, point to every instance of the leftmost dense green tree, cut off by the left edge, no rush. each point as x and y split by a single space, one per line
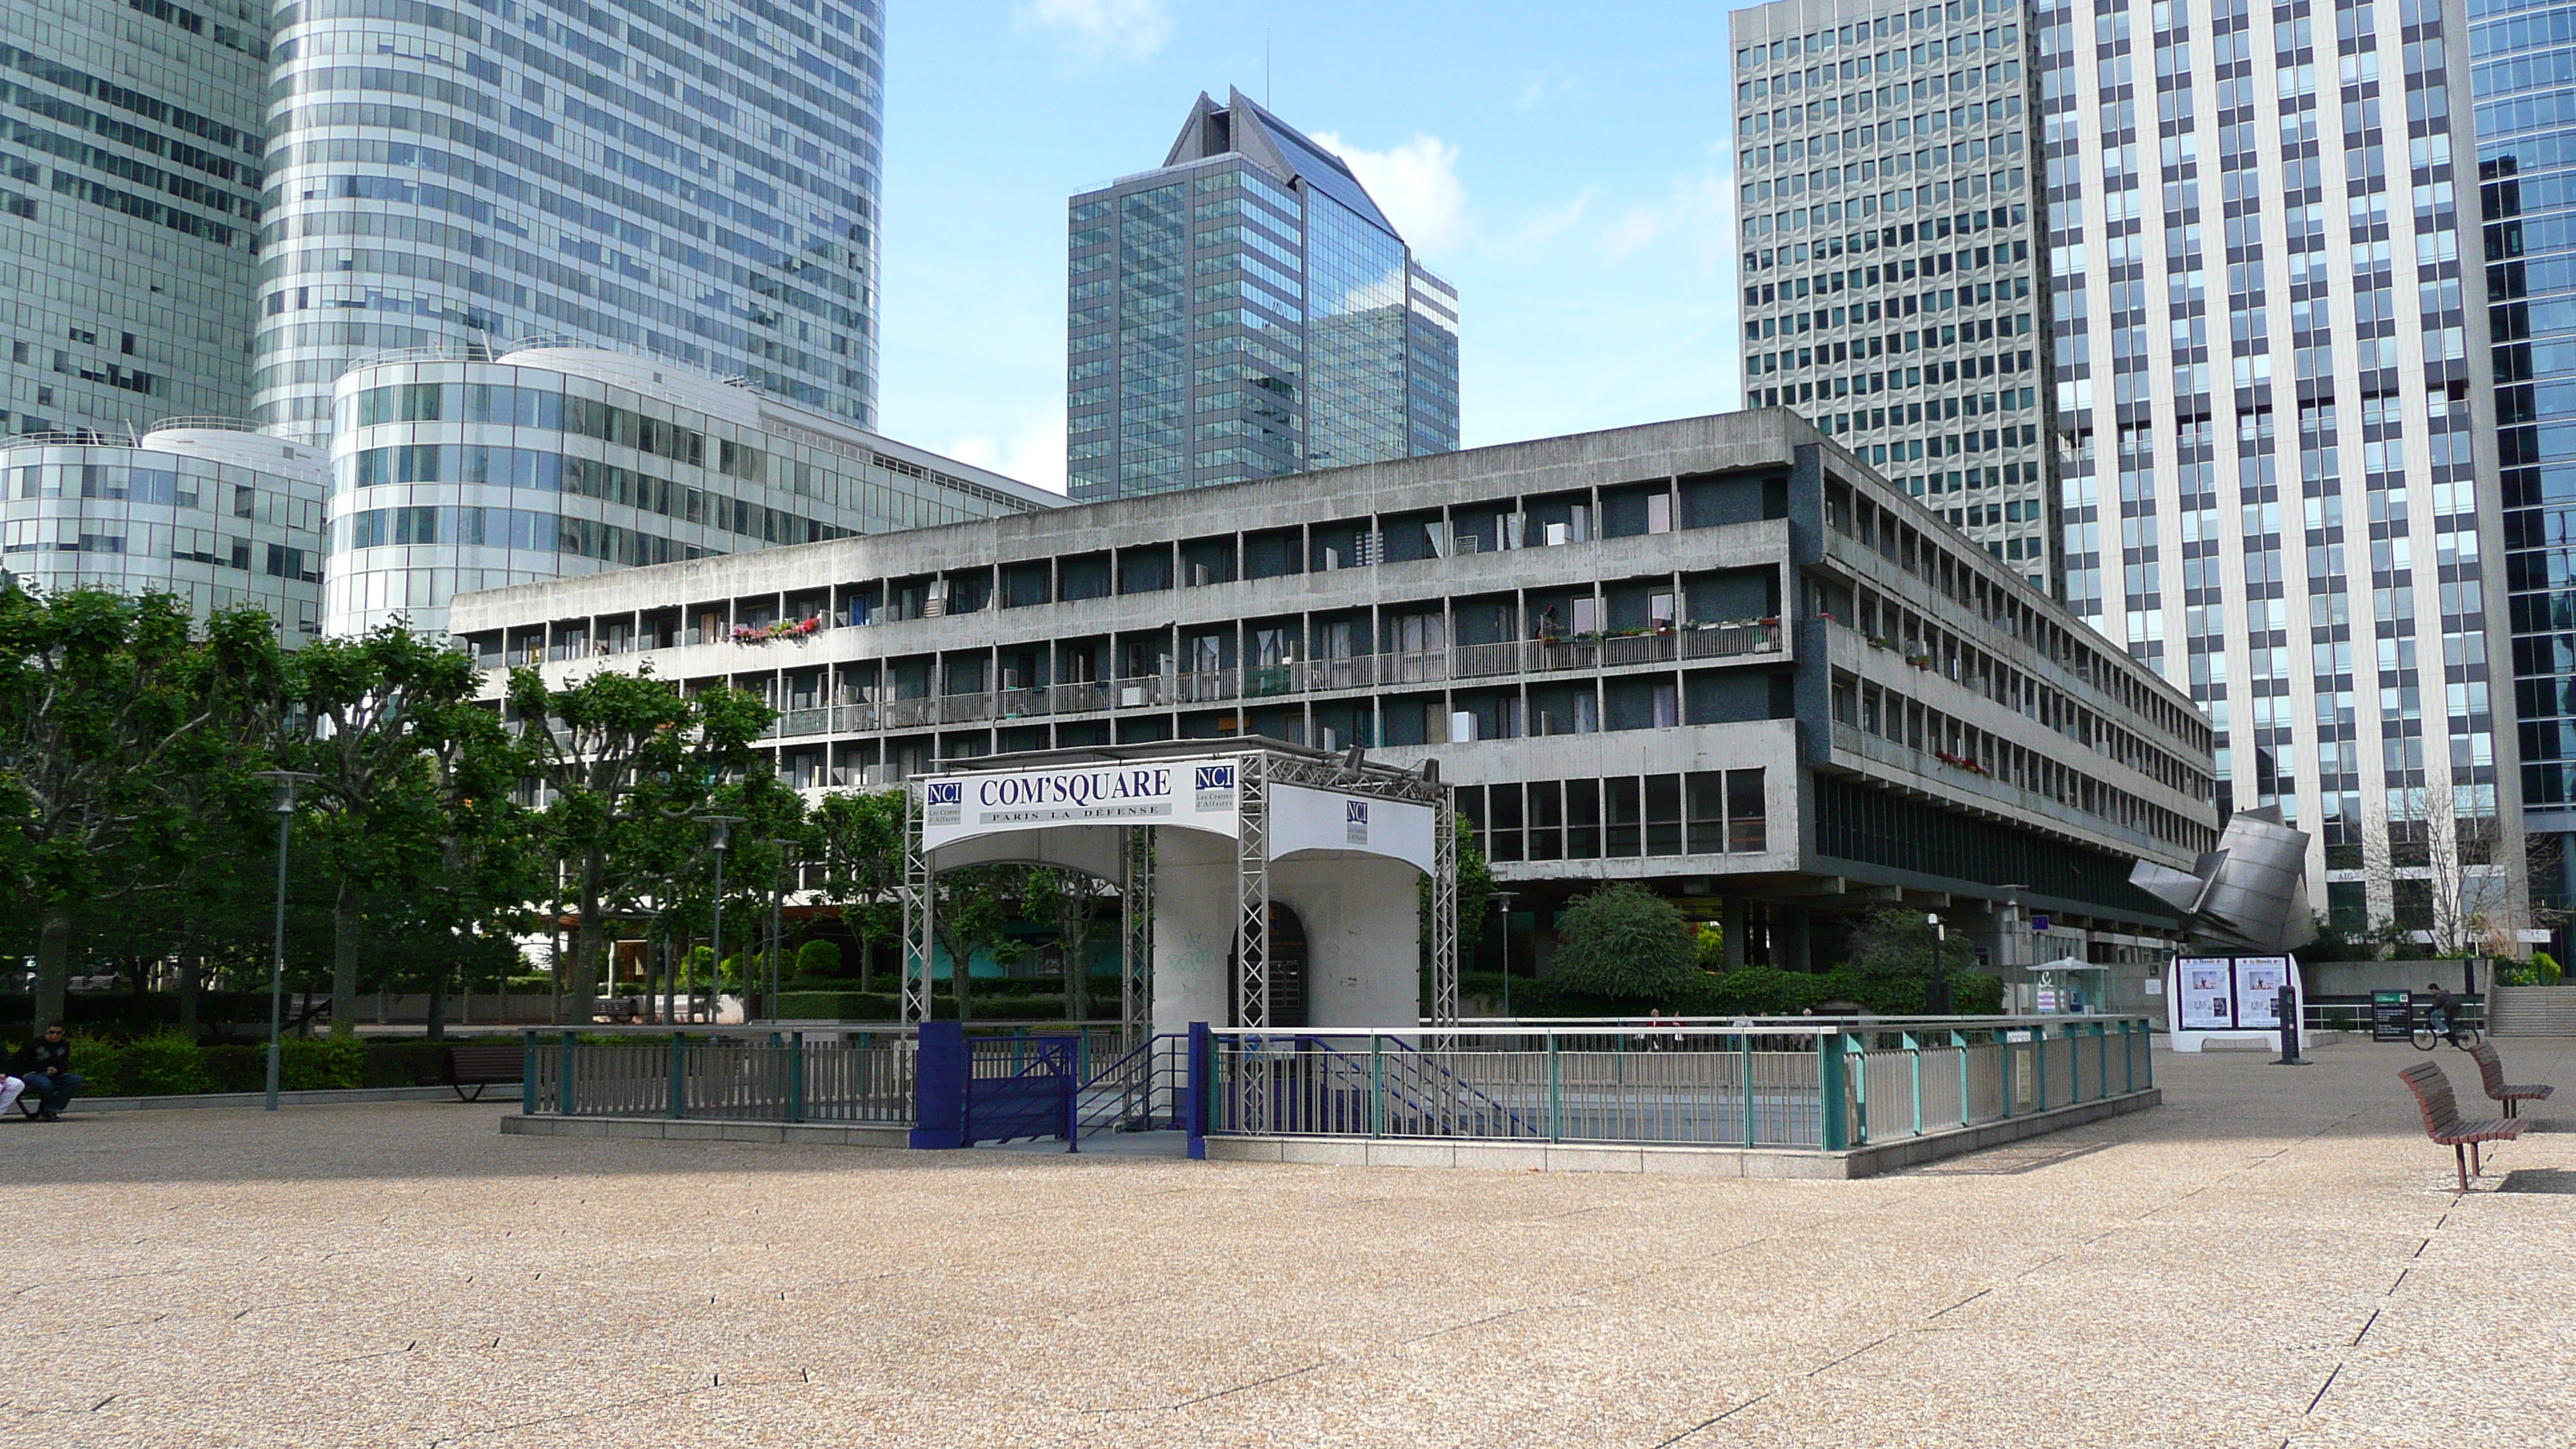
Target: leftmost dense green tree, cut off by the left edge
109 708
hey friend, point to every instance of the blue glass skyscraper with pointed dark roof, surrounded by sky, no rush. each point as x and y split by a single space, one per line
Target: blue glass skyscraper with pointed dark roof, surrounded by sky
1248 311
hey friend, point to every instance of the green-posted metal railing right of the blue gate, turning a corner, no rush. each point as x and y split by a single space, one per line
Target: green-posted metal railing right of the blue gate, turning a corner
1714 1084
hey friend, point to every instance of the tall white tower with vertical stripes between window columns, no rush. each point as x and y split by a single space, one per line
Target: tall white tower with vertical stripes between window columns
2271 398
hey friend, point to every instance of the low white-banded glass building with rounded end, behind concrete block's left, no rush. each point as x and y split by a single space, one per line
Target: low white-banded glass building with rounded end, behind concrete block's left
462 476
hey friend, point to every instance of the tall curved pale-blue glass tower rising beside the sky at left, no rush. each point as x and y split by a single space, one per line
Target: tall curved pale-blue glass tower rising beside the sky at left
699 184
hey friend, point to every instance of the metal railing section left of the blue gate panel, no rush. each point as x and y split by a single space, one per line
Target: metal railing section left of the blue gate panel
728 1079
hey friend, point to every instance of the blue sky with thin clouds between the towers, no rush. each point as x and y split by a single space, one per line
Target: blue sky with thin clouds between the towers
1565 166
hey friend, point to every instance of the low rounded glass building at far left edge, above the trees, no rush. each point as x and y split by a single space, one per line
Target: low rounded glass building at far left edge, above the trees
207 514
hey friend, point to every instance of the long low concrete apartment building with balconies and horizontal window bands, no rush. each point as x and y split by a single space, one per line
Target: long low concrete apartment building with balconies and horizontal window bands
1719 656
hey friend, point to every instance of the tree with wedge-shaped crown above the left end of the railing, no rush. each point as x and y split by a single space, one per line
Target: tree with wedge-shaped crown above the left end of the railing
625 759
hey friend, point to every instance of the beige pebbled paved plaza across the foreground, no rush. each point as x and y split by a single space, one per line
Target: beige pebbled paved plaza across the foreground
2276 1257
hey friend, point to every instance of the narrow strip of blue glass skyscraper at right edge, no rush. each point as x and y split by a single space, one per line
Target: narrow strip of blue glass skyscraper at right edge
2523 58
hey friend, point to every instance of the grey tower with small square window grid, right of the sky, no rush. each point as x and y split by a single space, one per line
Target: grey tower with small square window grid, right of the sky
1895 262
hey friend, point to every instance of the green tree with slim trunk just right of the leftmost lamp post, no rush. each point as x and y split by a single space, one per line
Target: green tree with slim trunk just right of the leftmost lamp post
372 718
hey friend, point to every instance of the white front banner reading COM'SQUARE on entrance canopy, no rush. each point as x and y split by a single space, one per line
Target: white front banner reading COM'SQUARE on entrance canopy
1194 795
